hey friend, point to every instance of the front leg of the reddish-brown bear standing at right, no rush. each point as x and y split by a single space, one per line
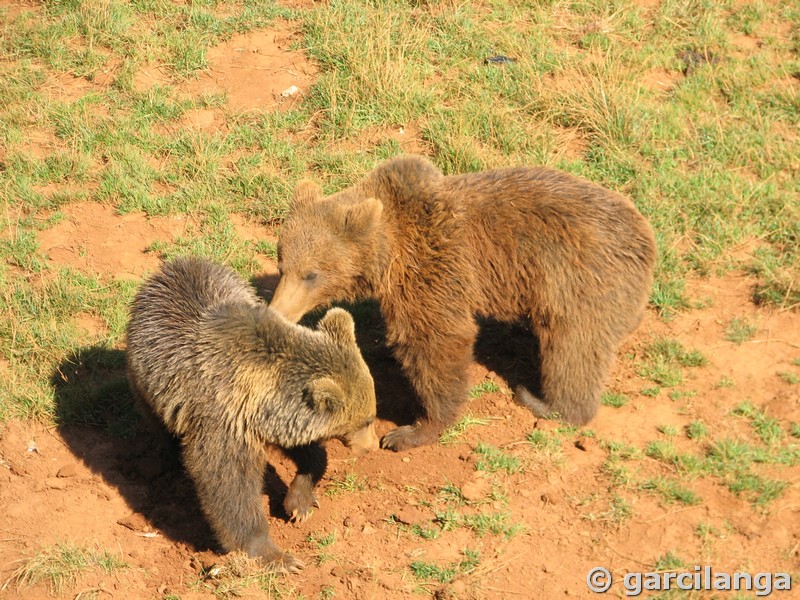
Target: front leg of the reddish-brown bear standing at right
436 364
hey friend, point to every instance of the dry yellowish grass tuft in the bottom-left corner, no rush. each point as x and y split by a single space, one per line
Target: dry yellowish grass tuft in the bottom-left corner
59 566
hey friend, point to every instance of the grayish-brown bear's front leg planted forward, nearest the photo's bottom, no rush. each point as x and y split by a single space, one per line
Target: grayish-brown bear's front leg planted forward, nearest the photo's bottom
229 475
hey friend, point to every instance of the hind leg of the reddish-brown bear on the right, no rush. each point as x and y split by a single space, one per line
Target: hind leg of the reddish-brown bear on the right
573 366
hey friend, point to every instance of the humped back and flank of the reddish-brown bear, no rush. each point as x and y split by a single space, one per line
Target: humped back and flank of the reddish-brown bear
518 237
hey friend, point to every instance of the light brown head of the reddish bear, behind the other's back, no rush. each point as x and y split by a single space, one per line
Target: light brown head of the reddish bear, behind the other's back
325 248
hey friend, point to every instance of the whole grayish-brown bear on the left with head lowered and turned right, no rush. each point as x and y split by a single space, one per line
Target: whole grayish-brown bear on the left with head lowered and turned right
227 375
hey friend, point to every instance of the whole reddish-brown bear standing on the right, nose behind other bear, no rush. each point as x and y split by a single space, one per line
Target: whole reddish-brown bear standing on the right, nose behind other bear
573 258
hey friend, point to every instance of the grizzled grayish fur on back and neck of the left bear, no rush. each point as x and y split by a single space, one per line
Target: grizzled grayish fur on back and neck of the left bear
202 348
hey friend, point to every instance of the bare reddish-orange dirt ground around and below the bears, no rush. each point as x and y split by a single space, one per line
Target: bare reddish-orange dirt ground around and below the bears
86 487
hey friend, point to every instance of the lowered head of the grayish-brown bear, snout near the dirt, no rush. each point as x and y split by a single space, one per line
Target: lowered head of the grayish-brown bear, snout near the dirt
347 394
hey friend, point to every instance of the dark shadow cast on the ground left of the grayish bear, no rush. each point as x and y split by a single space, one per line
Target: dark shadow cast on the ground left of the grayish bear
101 426
